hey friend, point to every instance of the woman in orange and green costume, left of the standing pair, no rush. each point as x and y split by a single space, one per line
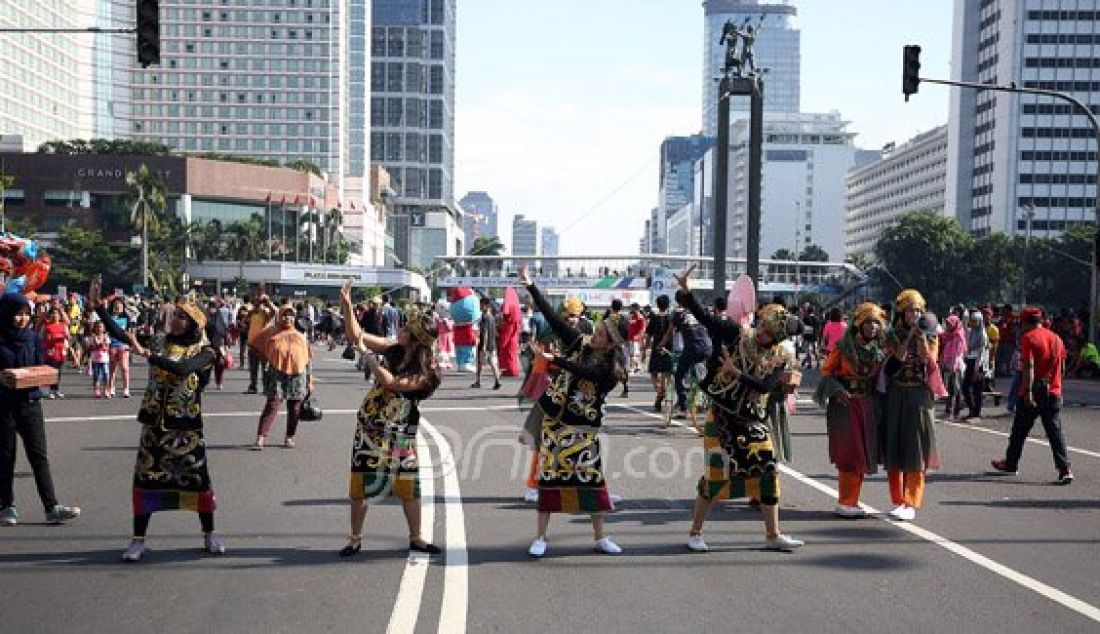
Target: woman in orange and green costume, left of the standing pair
848 391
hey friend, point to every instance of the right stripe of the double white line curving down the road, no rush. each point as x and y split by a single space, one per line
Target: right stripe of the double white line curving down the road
453 614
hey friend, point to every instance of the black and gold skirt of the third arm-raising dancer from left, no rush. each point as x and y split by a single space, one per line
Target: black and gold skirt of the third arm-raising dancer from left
571 477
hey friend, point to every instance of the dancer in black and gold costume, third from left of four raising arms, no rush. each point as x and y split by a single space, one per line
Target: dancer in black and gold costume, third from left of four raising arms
571 478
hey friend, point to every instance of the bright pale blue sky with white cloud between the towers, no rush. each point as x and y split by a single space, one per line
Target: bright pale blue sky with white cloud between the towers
563 105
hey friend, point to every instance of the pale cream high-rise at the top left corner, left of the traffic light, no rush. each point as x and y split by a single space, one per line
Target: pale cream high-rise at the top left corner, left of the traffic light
65 85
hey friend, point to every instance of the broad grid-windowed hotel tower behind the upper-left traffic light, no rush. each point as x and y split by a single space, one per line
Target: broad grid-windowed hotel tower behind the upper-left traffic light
285 81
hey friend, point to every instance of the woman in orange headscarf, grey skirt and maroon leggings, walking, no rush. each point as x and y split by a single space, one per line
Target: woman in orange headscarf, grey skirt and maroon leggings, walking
288 376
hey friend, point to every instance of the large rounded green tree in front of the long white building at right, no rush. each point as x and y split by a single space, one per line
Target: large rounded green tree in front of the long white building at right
925 250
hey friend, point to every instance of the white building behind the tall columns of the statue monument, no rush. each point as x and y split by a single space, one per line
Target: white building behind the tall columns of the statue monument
807 159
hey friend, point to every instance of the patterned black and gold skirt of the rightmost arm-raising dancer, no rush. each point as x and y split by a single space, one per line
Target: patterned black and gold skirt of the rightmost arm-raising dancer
740 461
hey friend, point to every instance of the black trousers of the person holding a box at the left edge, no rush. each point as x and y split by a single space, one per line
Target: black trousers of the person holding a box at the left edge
25 418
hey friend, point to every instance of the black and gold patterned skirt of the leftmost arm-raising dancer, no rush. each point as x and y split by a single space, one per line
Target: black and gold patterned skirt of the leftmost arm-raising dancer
172 474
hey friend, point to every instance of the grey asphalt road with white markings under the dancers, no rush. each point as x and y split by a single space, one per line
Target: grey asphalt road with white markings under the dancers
986 553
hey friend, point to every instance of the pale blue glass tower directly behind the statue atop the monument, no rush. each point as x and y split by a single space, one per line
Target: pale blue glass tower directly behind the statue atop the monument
777 49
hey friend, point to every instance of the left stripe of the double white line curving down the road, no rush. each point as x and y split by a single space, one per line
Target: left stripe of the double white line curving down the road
411 593
